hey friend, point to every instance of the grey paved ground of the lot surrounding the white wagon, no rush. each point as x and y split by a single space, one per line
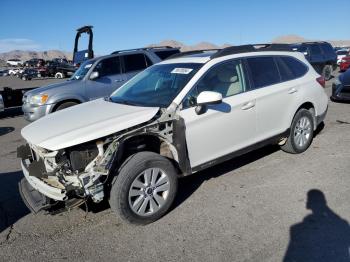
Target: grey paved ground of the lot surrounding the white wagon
252 208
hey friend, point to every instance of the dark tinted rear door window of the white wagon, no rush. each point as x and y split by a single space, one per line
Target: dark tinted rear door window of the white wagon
263 71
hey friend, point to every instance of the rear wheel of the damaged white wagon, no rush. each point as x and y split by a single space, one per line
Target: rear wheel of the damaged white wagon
301 133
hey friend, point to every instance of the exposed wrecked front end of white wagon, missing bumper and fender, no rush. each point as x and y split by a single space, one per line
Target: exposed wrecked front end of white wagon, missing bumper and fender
56 181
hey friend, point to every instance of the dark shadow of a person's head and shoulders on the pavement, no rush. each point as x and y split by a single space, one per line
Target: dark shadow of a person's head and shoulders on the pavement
321 236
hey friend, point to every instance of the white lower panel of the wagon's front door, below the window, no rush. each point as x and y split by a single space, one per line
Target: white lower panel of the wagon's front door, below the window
223 129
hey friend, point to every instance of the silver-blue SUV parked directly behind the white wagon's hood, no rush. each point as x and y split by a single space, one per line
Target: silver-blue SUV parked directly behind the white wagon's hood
95 78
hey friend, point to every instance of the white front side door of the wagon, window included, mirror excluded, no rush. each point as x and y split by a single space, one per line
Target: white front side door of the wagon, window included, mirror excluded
225 127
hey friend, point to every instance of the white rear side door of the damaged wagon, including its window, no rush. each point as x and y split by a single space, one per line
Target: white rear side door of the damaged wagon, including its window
273 98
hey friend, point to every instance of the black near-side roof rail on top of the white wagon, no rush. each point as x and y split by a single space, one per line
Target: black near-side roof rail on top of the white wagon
251 48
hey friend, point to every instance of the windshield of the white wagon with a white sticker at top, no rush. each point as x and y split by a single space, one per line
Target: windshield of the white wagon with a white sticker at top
157 86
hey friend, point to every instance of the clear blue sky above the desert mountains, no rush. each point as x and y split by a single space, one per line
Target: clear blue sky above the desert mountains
44 25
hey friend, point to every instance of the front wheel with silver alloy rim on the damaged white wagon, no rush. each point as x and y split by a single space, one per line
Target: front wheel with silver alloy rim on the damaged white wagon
144 189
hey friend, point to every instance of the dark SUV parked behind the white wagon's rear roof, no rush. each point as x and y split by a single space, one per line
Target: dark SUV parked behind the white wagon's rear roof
321 56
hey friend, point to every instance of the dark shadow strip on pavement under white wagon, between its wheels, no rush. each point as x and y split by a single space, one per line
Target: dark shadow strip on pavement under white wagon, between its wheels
188 185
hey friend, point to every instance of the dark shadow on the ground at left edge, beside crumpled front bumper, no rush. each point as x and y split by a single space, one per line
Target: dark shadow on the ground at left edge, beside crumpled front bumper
12 207
